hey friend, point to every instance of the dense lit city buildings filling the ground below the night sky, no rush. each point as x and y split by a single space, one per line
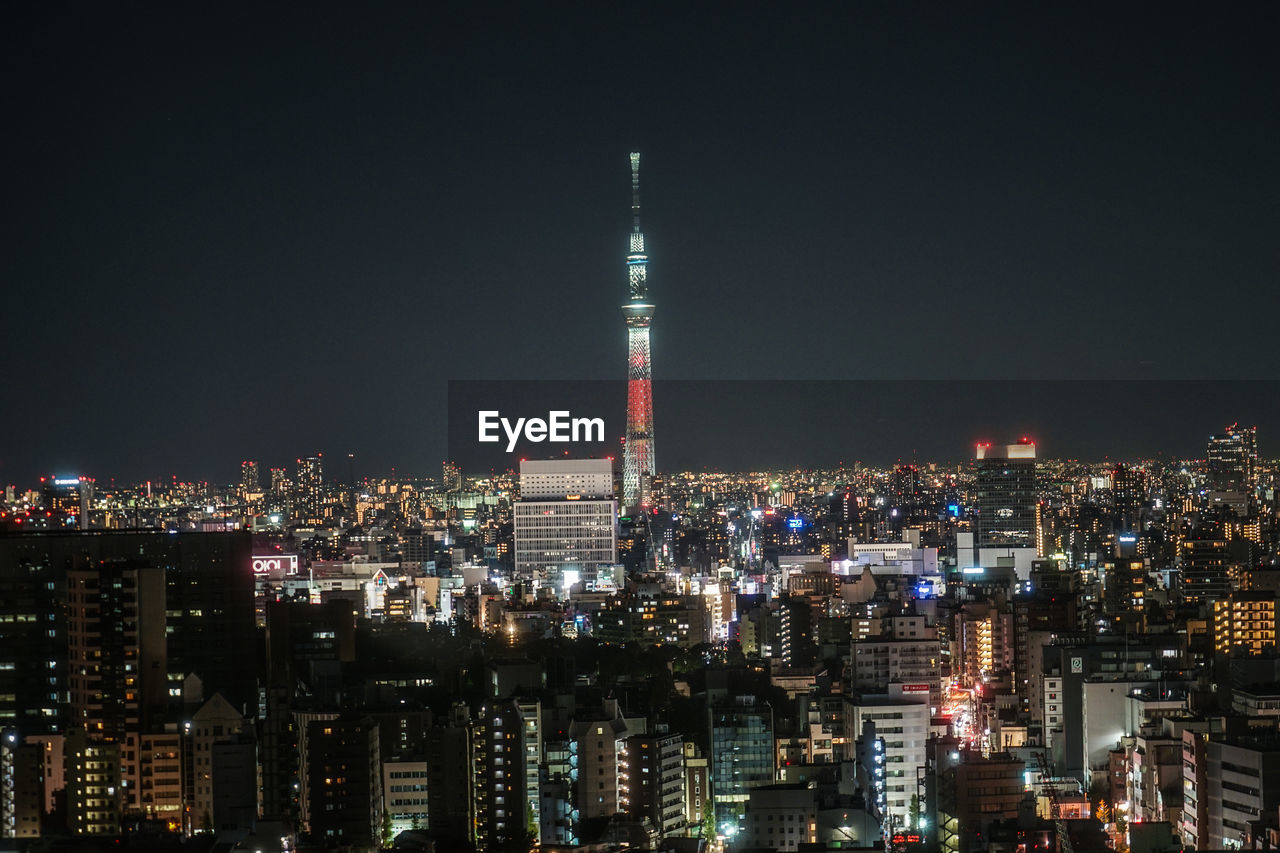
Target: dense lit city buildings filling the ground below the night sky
1013 653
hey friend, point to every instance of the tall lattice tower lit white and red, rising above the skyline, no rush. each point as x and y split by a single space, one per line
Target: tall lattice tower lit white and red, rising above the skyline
638 463
